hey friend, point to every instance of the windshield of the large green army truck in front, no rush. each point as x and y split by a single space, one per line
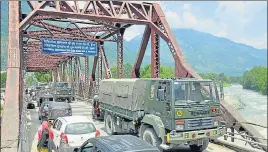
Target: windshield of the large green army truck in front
195 91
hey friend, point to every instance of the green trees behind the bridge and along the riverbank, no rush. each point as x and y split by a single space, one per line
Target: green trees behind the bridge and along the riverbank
254 79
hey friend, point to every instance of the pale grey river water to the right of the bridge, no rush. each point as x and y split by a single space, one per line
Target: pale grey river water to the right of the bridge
251 105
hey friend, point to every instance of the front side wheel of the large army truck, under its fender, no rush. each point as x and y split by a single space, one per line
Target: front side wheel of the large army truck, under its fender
150 137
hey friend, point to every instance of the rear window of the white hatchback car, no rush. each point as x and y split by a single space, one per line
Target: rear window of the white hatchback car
80 128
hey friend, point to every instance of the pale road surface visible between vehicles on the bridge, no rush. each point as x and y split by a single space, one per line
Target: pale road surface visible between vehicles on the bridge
83 108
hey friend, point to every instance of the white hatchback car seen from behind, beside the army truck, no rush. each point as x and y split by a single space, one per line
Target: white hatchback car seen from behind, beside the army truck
72 131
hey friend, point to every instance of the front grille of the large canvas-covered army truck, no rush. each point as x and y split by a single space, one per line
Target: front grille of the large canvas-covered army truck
199 123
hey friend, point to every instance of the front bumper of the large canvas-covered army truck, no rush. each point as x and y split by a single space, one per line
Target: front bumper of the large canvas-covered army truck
185 138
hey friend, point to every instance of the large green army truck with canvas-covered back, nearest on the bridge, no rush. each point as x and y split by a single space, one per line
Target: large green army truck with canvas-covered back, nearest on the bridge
164 112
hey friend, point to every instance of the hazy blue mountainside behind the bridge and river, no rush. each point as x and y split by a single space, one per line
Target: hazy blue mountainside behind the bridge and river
204 52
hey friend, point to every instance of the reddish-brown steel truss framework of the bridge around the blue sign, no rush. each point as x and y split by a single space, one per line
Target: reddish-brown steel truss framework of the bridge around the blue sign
103 21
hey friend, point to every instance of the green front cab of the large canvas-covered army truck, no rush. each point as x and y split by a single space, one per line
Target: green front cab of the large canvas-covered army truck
189 110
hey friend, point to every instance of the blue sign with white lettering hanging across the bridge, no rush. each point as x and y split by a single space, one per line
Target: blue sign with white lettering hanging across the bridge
69 47
